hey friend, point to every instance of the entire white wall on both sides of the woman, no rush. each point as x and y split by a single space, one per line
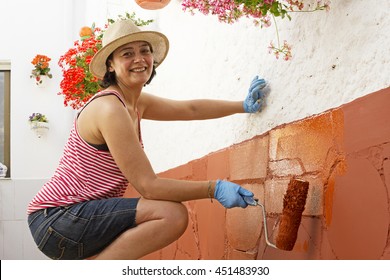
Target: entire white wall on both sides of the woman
338 56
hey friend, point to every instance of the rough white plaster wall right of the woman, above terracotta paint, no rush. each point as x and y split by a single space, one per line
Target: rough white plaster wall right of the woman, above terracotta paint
338 56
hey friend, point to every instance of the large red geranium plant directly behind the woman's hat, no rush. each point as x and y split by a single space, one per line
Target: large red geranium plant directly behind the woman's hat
78 84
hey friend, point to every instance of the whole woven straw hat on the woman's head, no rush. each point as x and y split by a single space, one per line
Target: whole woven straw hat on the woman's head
121 33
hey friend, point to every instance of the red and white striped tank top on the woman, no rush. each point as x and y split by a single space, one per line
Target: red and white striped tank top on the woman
84 173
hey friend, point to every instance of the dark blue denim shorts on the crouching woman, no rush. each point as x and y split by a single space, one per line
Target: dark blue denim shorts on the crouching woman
81 230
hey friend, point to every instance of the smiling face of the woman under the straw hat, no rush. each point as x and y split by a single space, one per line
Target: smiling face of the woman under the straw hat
132 63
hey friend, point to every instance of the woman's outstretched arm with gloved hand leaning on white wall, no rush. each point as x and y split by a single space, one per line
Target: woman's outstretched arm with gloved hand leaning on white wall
157 108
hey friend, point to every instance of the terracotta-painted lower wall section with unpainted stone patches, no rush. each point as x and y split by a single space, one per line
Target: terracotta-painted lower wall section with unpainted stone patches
344 153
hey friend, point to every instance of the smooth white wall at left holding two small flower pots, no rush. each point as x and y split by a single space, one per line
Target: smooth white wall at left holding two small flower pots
30 28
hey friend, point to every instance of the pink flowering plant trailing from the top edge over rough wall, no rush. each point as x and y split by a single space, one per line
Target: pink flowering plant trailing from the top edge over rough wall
262 12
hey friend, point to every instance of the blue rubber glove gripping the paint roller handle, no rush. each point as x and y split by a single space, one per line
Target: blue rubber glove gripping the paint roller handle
230 194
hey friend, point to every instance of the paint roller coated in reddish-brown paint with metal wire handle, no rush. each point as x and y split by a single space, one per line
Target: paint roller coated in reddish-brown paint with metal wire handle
293 205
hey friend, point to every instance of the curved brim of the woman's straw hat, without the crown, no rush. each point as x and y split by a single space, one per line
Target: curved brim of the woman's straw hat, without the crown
157 40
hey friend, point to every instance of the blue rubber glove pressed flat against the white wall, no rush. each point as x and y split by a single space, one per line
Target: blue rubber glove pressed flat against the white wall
255 99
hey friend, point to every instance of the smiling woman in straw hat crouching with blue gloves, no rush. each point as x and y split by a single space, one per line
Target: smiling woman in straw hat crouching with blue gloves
80 211
